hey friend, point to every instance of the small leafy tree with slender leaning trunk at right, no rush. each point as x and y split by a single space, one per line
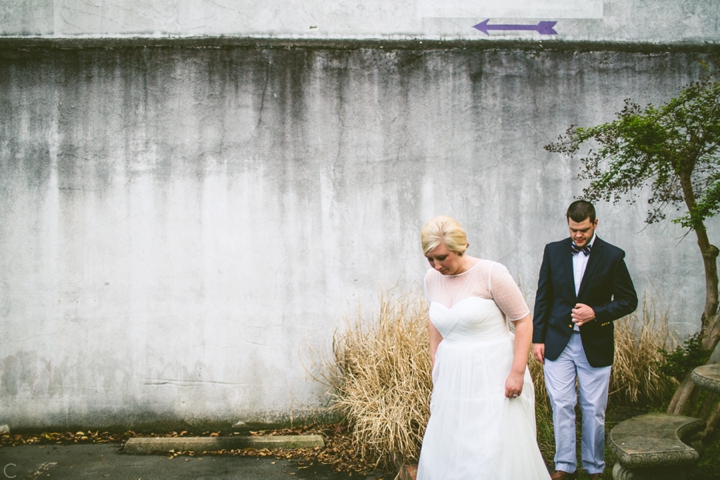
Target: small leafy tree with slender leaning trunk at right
673 149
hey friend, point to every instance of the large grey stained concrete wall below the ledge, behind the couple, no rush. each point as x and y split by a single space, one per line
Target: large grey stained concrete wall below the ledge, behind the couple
178 224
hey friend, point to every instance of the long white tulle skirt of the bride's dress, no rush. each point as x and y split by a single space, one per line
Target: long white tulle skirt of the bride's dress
474 431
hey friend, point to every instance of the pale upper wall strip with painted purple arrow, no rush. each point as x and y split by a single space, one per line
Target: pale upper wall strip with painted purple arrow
656 21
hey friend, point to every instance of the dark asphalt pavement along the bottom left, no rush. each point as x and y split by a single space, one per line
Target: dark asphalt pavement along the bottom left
103 461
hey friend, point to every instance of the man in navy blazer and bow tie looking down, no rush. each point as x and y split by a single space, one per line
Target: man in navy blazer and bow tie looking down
584 286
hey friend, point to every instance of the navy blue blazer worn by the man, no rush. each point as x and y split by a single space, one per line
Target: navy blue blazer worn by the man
606 287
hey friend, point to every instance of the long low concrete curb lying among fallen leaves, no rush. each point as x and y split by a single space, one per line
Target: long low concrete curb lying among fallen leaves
205 444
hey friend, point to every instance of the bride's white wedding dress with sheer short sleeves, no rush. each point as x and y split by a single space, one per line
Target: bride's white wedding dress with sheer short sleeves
474 431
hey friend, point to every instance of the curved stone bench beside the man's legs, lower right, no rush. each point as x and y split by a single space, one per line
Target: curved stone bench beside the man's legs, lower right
655 446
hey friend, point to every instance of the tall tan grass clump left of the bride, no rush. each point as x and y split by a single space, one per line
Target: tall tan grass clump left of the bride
381 380
